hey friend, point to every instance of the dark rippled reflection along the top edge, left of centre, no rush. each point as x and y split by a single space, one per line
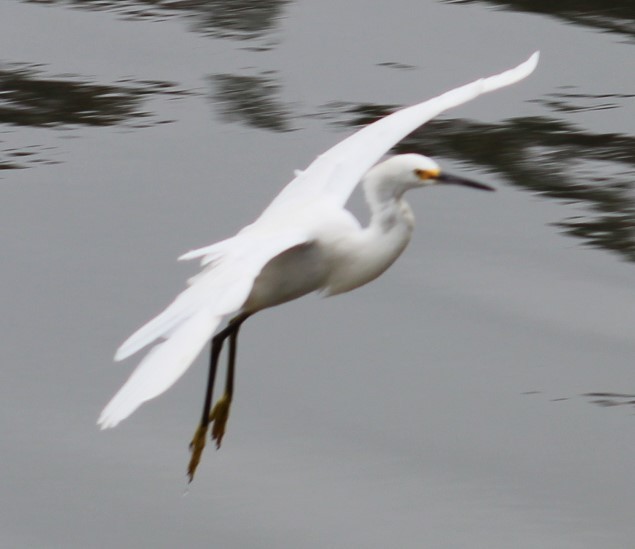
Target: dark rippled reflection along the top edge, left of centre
242 19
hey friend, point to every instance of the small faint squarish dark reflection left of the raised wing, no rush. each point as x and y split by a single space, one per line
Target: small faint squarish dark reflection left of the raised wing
250 100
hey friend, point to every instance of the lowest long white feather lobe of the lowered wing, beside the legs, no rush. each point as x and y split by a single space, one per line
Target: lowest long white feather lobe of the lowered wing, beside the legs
161 367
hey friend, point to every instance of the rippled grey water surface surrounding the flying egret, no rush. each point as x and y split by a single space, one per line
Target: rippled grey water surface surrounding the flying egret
480 394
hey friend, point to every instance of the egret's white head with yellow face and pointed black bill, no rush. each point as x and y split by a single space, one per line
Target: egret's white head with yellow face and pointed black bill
410 171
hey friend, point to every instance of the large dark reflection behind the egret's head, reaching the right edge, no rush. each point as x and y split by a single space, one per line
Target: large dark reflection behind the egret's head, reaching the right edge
541 154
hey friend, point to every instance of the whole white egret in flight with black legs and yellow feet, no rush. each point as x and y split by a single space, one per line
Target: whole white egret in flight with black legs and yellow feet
304 241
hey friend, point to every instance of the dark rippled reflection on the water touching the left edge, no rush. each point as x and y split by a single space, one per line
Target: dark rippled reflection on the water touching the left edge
30 98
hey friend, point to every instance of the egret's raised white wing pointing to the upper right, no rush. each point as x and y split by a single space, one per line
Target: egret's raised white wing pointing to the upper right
335 173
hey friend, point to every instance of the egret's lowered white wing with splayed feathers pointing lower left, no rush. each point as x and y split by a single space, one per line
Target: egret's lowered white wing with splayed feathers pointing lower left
191 319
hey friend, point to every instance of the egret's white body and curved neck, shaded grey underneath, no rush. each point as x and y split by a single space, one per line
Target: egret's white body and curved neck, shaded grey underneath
339 255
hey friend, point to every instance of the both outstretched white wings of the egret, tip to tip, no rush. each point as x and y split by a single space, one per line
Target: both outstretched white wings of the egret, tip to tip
232 265
